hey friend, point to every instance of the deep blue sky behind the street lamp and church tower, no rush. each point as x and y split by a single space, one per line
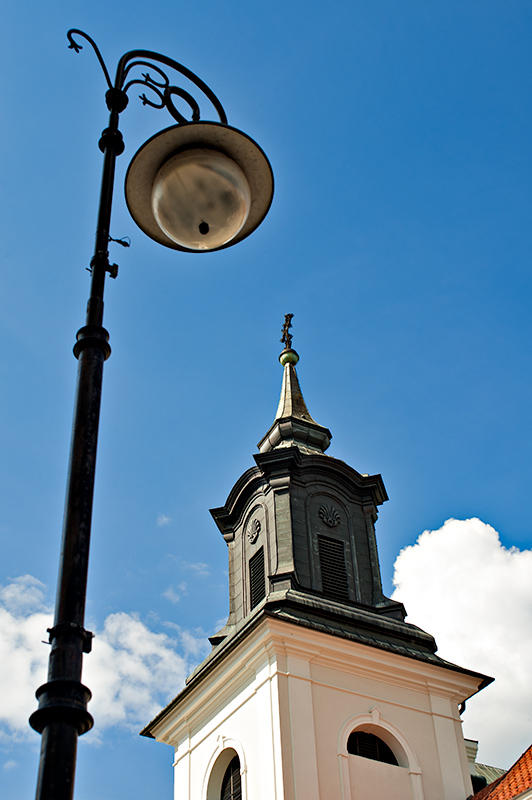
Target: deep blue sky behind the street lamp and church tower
399 236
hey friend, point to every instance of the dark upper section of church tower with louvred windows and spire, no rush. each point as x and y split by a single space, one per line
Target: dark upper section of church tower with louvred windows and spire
300 532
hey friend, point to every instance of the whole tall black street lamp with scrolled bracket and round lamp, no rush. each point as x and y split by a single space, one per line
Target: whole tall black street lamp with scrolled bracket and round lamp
196 186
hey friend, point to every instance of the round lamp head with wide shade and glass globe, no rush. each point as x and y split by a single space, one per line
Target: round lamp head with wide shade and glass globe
199 186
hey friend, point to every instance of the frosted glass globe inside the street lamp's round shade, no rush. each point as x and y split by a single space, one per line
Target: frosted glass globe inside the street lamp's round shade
201 198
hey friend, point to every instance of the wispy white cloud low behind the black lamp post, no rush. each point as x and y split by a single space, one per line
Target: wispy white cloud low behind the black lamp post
132 670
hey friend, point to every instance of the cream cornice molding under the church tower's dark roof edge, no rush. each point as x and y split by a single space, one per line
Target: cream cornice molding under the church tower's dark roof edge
272 641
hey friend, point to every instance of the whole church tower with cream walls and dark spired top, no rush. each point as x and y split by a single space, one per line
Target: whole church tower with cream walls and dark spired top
316 688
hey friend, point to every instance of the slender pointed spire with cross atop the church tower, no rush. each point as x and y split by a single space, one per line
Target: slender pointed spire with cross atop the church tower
293 425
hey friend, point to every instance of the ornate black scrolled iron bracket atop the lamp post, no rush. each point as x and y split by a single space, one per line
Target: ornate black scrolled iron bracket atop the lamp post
157 81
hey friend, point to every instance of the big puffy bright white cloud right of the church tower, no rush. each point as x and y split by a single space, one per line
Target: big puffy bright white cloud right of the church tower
475 596
